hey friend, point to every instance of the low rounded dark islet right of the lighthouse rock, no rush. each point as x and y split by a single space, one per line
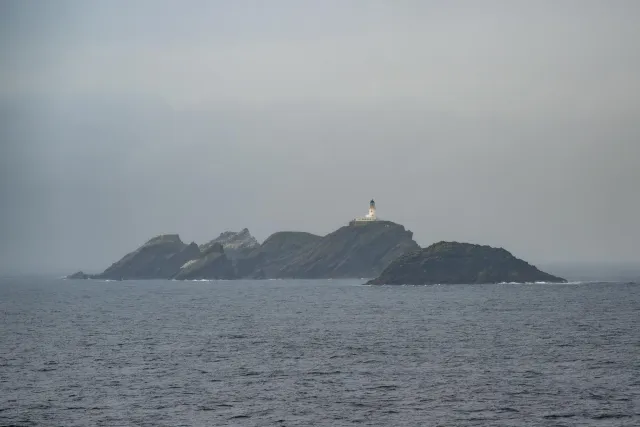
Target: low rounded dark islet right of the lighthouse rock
460 263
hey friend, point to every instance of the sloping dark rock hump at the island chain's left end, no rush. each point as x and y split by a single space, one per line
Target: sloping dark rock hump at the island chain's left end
159 258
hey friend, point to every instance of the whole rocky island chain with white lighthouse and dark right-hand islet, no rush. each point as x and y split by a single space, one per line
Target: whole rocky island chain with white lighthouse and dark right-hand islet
366 247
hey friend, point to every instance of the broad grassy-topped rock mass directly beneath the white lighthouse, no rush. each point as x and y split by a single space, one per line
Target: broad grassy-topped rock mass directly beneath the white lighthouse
350 251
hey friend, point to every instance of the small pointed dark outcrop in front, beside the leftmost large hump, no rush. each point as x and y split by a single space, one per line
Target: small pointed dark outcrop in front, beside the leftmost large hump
212 265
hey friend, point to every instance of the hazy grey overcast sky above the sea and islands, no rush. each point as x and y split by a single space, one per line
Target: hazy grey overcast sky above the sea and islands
508 123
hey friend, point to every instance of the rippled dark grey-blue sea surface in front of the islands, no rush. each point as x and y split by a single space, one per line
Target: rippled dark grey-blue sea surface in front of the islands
331 353
